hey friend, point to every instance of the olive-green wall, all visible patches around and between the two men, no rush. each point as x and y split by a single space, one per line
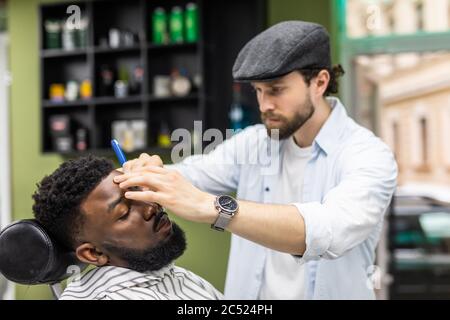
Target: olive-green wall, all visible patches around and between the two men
207 251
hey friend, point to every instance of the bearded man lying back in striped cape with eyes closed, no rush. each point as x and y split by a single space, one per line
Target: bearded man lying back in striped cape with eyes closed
132 243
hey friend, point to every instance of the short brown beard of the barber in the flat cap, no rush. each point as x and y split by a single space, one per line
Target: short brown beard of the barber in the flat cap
288 126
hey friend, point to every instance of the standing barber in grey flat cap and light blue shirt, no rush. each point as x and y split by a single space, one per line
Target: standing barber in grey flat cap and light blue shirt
306 223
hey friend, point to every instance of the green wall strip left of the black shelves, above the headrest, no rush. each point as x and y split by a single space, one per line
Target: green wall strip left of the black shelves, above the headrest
28 165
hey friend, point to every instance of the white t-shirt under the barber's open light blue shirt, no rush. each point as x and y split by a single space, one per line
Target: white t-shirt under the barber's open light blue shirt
284 278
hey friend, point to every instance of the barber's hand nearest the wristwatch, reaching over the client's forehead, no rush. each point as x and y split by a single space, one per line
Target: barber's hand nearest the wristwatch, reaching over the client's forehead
171 190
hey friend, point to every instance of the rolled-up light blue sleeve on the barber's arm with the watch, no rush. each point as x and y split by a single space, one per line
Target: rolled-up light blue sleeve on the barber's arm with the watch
350 211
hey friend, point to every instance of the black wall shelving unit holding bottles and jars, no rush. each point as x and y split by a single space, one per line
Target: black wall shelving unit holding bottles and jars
225 26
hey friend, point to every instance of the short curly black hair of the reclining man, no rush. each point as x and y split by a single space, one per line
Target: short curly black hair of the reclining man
59 196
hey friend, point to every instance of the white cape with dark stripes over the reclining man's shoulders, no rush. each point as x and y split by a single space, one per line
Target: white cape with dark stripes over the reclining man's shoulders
116 283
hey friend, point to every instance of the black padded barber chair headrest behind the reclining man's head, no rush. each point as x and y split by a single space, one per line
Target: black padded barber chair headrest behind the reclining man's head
29 256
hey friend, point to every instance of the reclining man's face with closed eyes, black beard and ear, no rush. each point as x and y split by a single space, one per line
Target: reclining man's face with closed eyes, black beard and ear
121 232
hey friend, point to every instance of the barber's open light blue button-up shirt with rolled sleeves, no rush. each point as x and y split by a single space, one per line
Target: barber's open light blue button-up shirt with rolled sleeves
347 188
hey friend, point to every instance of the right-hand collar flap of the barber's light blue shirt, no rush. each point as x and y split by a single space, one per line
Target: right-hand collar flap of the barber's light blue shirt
330 134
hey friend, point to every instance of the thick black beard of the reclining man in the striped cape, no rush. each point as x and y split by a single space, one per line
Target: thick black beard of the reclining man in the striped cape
155 258
